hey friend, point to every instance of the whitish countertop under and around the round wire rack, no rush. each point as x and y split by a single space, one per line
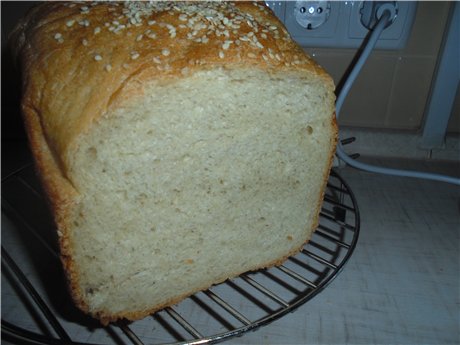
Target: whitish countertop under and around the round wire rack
401 286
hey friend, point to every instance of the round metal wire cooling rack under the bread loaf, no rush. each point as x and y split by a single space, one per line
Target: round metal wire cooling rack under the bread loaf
36 308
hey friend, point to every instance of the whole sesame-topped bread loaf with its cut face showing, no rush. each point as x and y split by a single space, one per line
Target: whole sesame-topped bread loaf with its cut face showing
179 144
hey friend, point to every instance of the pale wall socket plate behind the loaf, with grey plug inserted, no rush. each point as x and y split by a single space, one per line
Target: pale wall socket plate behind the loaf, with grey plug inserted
342 24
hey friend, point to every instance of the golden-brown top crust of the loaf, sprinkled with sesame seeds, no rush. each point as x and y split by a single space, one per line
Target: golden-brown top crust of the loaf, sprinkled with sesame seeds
81 59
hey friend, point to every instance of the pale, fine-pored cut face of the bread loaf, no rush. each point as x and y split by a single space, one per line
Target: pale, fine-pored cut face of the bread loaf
219 180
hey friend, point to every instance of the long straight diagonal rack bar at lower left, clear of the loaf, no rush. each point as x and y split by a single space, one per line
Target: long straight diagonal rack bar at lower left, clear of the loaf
60 331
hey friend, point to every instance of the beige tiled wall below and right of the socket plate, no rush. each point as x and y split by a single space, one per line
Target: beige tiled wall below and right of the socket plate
392 90
